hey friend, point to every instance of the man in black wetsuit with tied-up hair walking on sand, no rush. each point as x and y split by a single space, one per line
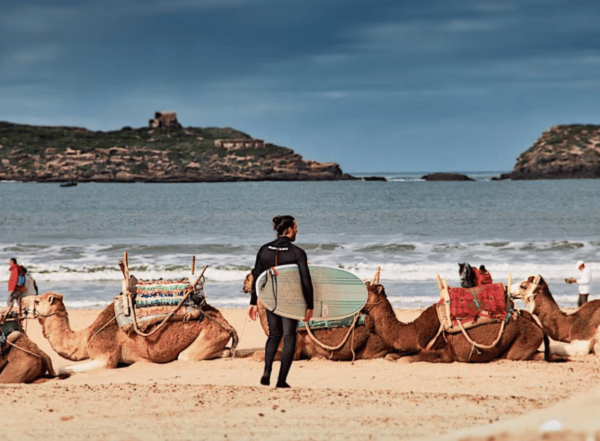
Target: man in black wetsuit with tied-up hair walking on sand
282 252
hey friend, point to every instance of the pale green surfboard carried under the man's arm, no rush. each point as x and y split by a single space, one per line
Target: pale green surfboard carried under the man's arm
337 293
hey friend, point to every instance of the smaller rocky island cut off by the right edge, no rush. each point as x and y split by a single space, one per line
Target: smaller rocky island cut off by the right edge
562 152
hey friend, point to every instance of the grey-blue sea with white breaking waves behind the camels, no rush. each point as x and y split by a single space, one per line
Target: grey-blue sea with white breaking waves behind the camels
71 239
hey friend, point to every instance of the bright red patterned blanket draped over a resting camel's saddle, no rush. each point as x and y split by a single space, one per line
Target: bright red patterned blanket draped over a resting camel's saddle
471 304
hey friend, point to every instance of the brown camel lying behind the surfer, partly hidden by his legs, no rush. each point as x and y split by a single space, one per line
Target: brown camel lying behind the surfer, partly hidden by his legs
360 344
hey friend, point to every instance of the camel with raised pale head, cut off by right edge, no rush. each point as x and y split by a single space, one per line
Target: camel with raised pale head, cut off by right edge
581 328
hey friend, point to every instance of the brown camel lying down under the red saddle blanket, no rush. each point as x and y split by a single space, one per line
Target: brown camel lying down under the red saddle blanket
520 341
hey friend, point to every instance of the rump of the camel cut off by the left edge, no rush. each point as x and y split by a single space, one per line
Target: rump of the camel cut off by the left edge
22 361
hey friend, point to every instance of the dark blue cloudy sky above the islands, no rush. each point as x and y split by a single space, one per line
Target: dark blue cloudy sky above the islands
374 85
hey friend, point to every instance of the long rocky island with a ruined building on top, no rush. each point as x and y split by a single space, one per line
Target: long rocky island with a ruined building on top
162 152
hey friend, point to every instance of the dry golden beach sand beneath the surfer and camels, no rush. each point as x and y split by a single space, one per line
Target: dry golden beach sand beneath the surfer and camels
367 399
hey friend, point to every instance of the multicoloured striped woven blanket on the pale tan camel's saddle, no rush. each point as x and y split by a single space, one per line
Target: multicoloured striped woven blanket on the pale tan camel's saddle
159 297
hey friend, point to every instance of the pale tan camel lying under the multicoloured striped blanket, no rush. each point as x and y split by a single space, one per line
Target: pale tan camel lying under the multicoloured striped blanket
106 344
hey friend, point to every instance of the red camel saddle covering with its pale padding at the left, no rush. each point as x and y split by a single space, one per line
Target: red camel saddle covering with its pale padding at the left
475 306
